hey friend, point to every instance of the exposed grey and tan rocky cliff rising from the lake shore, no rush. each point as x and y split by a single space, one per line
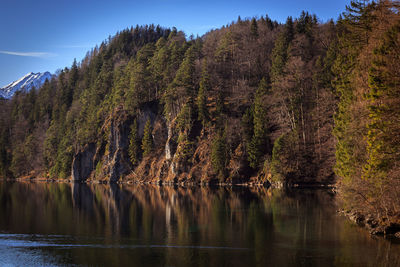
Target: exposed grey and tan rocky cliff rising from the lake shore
108 160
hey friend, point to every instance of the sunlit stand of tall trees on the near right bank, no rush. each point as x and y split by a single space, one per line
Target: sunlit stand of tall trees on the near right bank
367 122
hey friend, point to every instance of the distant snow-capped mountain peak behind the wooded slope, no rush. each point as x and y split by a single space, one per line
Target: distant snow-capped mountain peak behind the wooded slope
26 83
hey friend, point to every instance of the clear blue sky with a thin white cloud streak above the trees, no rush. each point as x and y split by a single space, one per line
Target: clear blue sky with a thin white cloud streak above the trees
45 35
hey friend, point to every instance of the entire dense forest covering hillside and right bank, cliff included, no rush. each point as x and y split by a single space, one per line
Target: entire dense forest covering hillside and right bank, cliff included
304 102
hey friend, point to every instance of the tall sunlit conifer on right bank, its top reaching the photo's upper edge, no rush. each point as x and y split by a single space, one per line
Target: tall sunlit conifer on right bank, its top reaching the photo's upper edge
355 30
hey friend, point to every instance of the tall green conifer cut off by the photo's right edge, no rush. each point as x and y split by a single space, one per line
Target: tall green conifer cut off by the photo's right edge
383 111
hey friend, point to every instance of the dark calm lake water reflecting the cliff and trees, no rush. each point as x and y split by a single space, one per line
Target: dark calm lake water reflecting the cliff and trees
101 225
